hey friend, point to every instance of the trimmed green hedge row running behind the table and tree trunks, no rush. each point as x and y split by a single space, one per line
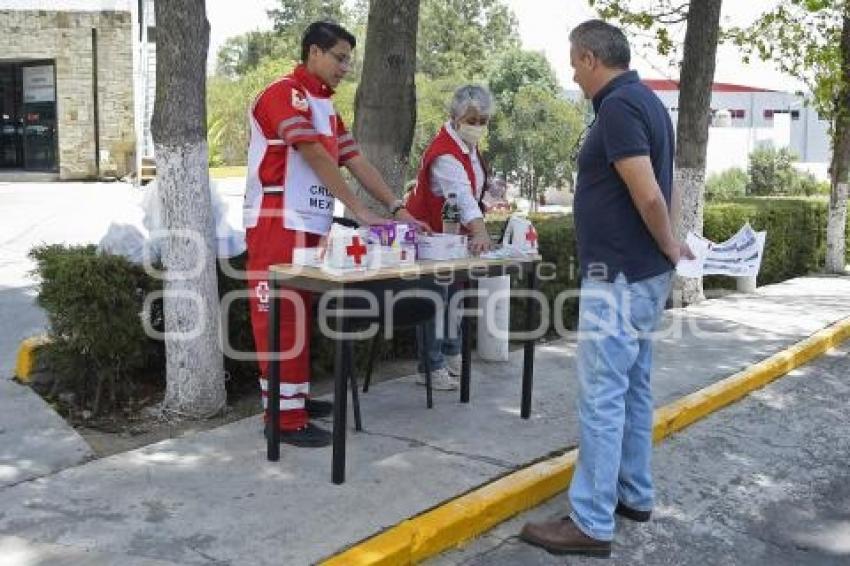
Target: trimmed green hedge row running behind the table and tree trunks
94 301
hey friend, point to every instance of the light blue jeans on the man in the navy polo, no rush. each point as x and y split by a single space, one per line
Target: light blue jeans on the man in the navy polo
614 362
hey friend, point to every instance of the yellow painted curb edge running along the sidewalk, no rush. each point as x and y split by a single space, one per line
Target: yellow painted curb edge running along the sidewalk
470 515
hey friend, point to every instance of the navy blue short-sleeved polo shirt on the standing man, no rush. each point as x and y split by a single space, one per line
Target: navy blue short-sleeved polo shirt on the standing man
612 237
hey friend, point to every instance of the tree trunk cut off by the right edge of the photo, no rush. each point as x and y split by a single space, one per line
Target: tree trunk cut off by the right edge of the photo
837 223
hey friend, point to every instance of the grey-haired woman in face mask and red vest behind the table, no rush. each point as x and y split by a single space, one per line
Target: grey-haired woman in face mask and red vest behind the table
452 164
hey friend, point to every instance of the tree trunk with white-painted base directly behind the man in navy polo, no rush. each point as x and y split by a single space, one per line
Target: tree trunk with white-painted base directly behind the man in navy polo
696 79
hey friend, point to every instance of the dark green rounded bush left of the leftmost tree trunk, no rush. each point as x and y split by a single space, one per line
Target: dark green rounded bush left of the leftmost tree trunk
94 307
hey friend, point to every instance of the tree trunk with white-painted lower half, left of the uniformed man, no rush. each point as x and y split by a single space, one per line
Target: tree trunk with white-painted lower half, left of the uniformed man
194 363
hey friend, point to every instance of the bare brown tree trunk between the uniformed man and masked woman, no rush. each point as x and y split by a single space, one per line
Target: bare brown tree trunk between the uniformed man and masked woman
385 105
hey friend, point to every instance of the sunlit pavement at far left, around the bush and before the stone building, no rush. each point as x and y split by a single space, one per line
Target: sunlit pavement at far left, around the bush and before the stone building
34 441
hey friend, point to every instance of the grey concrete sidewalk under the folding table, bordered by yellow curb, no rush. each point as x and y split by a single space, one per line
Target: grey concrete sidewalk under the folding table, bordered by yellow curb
213 498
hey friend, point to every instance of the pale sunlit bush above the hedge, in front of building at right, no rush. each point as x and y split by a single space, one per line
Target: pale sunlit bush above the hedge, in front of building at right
771 172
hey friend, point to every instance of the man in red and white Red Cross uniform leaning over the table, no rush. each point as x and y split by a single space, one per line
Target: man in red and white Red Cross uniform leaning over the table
298 142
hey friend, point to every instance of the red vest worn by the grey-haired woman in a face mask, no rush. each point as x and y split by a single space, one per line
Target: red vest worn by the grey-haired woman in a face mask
422 203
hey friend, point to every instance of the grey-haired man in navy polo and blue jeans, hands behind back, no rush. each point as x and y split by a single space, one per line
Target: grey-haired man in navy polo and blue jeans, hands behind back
627 252
